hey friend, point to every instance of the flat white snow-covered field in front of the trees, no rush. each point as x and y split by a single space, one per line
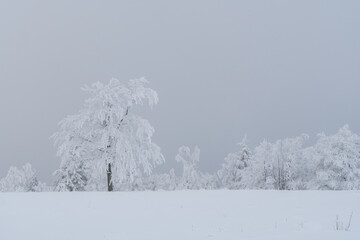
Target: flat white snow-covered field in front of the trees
182 215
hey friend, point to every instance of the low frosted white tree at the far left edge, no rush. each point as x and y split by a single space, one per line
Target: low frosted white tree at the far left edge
21 180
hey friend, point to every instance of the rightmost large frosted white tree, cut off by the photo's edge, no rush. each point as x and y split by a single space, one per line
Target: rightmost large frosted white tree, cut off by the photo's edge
337 161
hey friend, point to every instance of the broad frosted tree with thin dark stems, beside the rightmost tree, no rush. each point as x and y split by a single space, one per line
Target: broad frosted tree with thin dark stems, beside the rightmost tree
277 165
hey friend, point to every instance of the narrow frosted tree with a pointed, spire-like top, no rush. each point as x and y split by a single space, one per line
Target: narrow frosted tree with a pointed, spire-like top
232 170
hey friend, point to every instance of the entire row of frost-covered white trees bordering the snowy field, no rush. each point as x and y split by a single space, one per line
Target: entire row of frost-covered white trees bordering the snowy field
106 146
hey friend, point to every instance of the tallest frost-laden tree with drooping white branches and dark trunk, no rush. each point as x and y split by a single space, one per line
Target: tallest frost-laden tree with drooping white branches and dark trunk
107 132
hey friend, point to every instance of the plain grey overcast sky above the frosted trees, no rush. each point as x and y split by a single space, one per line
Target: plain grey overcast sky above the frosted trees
270 69
